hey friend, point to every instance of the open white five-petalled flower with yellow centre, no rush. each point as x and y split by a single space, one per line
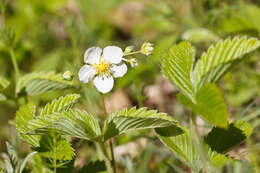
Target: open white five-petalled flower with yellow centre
103 67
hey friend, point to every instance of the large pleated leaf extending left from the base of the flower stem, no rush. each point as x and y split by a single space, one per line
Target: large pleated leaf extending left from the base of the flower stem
74 123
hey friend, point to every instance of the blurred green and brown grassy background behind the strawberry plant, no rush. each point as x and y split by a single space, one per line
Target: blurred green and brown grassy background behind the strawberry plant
52 35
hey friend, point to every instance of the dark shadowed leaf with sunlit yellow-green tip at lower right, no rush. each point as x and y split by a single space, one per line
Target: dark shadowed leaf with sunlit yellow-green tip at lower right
223 140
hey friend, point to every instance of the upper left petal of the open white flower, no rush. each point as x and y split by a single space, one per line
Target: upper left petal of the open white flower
92 55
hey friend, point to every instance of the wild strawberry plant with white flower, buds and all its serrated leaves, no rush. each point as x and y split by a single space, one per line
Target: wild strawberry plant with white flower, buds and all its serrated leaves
49 129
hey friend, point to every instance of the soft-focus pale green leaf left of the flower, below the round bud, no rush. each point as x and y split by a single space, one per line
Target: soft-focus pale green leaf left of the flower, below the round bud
40 82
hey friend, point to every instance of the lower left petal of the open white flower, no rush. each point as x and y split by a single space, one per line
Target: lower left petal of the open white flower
86 73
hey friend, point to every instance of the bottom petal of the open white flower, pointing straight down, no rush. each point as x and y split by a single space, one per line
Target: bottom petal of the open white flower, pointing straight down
104 84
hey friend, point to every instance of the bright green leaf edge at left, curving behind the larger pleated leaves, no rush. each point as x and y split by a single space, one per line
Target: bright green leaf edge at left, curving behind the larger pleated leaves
25 114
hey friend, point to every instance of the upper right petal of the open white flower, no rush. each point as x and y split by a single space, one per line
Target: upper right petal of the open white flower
113 54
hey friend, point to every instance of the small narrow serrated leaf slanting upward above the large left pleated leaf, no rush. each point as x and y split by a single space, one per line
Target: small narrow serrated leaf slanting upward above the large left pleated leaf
60 104
